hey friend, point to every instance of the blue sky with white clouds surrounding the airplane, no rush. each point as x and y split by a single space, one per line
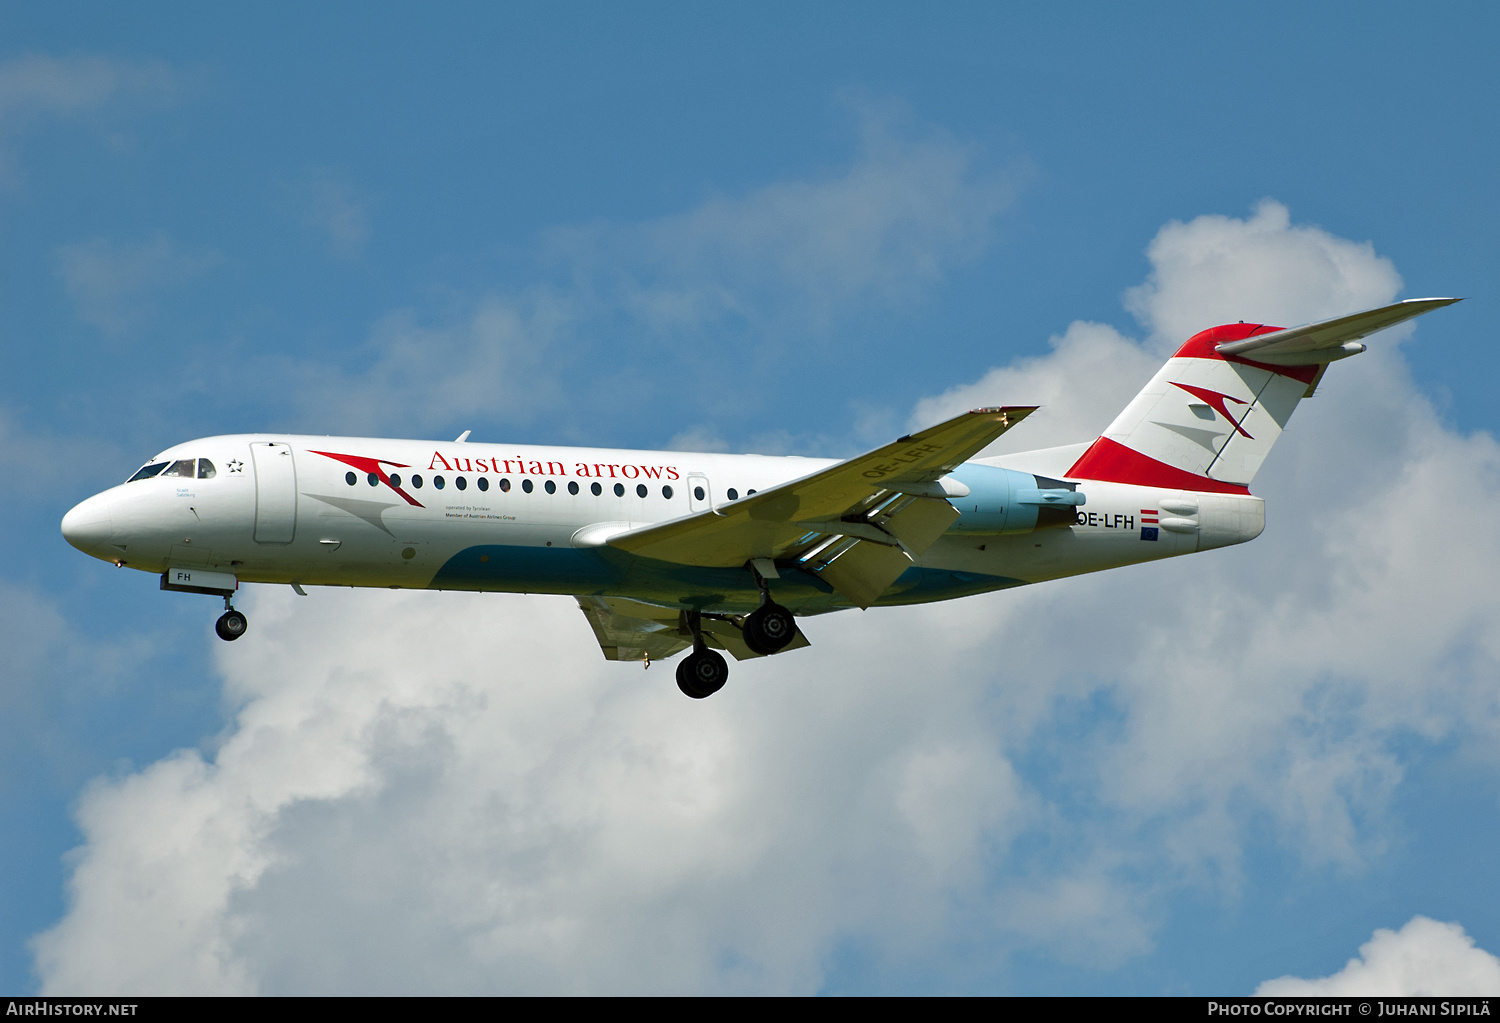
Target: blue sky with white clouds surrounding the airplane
776 229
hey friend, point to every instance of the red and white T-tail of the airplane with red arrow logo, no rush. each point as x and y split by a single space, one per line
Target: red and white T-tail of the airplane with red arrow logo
1208 419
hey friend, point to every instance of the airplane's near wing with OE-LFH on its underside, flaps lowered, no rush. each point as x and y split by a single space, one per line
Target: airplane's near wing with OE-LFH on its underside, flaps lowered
859 524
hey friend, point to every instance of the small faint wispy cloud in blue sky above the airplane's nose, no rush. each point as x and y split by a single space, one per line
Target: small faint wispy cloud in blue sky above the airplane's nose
116 284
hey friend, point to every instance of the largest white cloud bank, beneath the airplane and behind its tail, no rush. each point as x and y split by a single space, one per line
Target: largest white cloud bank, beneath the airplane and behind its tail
451 793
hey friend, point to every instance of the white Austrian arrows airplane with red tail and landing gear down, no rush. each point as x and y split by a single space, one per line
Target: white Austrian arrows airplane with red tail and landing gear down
670 551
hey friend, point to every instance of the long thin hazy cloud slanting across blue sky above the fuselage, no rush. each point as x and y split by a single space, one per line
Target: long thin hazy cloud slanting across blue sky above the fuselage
718 298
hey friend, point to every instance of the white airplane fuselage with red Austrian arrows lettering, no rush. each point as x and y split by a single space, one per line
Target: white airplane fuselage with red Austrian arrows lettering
367 512
